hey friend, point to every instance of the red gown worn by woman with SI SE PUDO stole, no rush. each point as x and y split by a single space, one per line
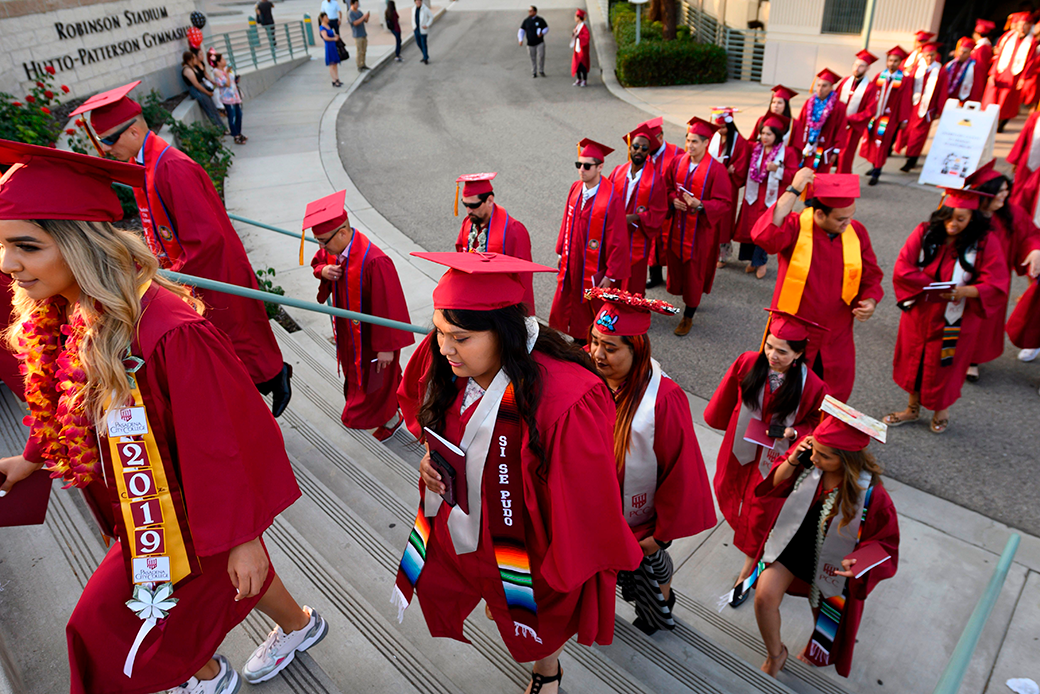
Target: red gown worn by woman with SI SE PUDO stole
577 537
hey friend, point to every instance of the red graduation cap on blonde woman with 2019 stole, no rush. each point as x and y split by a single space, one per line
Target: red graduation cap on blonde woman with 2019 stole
45 184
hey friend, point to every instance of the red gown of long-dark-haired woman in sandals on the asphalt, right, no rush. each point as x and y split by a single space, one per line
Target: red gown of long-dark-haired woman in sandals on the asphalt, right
920 342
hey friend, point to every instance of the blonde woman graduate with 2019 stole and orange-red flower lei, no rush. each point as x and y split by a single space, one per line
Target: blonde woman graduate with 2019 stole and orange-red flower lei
139 401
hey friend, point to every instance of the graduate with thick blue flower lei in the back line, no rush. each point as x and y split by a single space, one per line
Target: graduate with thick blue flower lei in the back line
820 128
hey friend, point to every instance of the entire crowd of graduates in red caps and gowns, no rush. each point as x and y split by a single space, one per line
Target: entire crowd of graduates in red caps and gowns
561 460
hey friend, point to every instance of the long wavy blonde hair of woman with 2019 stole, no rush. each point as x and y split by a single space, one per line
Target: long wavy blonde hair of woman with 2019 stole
112 267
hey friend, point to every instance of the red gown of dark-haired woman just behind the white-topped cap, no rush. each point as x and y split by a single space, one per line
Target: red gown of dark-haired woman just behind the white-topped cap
735 484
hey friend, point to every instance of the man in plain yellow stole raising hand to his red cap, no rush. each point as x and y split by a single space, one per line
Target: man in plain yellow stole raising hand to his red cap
828 272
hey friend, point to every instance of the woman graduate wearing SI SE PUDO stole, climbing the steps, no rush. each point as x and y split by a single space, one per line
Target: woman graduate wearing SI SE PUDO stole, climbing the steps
537 531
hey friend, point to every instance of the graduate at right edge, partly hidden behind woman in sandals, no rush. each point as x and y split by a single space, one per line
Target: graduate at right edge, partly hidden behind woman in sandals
1021 241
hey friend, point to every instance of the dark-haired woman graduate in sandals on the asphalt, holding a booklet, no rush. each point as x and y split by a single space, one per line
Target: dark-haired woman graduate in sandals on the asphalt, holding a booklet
939 331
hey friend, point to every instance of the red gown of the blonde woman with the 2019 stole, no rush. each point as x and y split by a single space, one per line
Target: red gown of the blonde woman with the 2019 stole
236 477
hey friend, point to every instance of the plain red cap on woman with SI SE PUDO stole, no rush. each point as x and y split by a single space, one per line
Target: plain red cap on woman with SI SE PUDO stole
480 281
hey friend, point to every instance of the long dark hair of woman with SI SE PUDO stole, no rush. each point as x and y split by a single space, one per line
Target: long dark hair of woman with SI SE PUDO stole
511 332
